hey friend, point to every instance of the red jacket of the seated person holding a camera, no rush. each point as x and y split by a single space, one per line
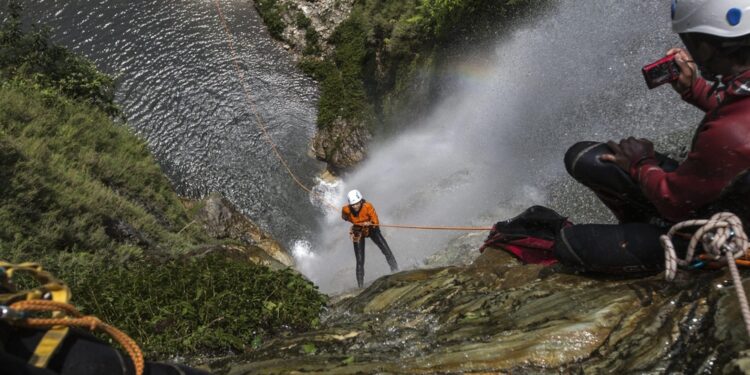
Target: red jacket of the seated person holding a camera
720 151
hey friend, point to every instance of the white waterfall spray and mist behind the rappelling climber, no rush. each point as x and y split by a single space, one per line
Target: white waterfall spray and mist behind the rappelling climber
496 143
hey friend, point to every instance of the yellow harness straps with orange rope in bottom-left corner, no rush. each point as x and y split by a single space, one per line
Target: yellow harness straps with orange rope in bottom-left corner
21 308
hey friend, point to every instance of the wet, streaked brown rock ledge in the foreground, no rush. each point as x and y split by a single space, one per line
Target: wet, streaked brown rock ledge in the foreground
498 316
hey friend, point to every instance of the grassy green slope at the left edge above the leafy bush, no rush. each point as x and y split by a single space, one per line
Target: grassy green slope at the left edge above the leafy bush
74 181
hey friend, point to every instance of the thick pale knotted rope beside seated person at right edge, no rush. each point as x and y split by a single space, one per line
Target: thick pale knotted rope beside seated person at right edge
724 241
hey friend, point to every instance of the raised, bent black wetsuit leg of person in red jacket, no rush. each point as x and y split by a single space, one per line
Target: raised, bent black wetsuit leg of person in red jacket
614 187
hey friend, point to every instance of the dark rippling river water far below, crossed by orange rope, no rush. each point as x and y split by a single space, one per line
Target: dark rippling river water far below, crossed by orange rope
179 91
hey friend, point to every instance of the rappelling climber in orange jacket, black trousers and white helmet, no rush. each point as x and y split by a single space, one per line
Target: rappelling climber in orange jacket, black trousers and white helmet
365 224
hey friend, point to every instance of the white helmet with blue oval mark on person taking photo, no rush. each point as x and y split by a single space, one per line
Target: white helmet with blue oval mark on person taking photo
724 18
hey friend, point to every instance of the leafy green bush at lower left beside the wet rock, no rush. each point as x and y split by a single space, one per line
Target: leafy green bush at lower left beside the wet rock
202 304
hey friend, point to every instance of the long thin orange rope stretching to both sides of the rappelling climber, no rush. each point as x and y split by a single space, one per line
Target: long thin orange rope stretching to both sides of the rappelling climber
264 129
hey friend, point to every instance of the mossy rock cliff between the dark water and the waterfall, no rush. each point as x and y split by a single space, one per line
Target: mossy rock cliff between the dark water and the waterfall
379 62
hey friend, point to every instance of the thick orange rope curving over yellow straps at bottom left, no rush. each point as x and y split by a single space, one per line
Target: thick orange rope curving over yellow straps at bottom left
78 320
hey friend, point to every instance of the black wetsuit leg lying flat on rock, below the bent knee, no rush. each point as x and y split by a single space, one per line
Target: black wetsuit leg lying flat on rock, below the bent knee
632 248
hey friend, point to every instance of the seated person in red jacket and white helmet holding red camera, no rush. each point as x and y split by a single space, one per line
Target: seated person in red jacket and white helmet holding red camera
648 192
